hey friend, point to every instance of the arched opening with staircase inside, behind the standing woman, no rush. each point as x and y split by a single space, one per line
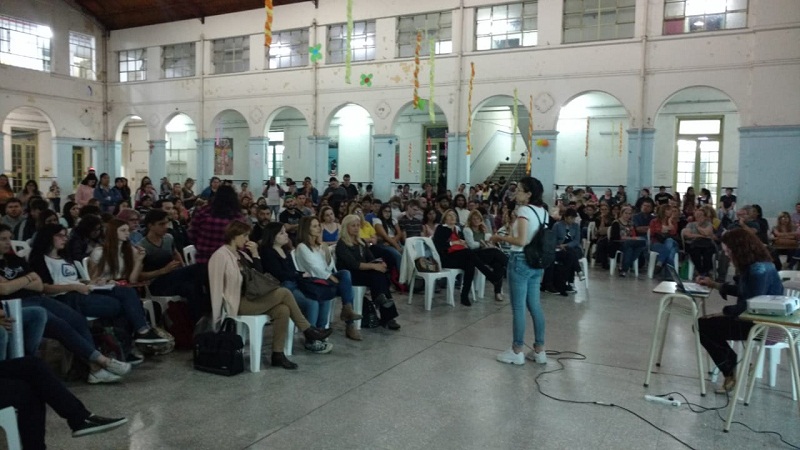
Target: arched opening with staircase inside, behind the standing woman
499 149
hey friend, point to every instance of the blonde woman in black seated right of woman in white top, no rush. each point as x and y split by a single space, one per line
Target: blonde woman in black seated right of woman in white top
354 256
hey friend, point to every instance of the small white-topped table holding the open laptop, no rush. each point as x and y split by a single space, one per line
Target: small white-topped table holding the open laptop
677 303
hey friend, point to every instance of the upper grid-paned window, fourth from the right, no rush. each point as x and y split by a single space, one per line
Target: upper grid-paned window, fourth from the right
437 26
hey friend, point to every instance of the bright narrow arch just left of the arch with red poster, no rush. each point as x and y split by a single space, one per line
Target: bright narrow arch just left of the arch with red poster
181 148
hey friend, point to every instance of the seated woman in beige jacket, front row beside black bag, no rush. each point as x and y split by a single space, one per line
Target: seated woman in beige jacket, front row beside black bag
225 280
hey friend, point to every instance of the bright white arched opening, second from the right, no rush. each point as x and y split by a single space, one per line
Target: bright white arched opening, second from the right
592 142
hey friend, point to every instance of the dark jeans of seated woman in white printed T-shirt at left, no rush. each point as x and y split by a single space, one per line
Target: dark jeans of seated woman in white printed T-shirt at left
120 301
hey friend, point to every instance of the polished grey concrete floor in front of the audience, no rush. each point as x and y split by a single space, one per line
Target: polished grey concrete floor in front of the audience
435 384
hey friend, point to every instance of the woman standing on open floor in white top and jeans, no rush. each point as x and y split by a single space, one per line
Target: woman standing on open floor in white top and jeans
523 280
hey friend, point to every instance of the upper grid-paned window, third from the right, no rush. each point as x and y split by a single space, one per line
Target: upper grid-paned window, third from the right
506 26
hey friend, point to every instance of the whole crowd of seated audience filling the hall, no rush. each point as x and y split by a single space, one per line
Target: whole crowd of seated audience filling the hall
315 246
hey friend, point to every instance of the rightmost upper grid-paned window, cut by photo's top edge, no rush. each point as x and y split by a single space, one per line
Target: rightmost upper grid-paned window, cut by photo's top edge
692 16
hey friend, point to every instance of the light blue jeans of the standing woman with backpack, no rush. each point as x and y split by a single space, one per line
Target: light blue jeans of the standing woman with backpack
524 283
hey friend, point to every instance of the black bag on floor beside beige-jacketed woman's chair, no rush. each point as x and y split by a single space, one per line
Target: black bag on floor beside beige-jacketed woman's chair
220 352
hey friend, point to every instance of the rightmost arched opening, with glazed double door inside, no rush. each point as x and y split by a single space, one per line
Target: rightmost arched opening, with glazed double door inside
697 141
